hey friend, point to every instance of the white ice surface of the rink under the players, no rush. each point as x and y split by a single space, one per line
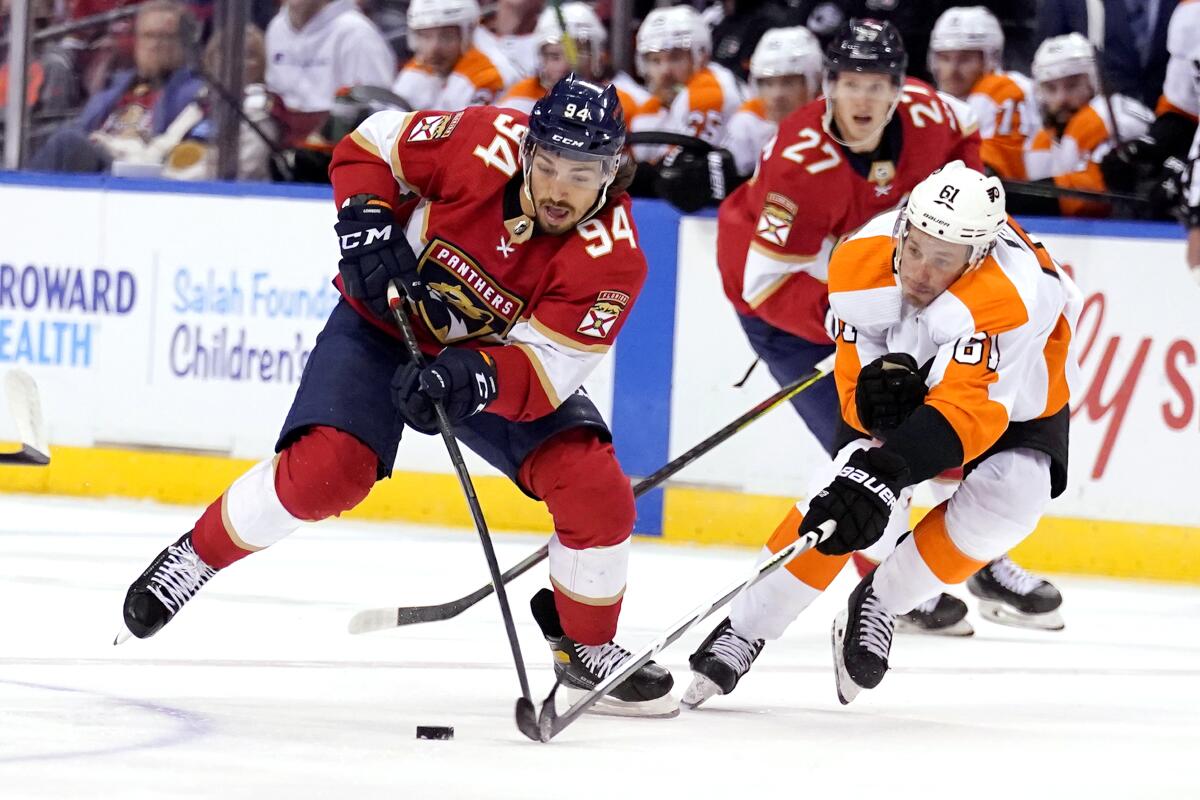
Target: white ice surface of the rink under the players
257 690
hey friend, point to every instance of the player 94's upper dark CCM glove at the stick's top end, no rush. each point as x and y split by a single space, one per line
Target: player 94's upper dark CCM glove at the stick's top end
375 254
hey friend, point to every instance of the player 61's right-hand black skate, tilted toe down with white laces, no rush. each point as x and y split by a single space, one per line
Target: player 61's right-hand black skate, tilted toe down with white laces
862 640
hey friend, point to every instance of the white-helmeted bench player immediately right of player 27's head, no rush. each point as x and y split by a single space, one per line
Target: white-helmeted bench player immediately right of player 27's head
965 57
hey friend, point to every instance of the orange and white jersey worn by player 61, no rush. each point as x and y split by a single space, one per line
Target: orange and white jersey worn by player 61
999 339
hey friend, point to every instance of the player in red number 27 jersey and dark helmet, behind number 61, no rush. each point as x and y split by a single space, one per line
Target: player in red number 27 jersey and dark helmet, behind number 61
835 165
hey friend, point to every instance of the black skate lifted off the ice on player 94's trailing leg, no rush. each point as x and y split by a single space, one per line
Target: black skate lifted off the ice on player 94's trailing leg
157 597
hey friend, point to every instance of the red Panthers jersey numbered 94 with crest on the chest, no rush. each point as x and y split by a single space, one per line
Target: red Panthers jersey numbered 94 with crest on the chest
545 308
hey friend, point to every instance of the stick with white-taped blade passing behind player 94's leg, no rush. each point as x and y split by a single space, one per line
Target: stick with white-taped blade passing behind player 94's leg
381 619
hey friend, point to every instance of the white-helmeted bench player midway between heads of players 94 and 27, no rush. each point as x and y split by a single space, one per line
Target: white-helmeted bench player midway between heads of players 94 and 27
689 94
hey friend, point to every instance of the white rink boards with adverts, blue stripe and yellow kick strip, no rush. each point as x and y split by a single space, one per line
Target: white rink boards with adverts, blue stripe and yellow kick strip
167 326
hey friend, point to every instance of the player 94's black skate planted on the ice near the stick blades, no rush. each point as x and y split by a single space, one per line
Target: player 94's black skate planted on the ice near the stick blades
579 667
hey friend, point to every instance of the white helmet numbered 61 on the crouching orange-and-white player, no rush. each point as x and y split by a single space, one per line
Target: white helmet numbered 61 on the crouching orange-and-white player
957 204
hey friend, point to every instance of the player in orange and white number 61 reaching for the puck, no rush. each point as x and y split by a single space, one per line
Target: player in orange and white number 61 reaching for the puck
950 302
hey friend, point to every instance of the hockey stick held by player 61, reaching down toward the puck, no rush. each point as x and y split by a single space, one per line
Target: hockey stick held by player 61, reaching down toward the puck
549 724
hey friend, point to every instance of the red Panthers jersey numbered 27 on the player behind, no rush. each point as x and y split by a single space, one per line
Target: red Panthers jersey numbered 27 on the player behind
776 232
